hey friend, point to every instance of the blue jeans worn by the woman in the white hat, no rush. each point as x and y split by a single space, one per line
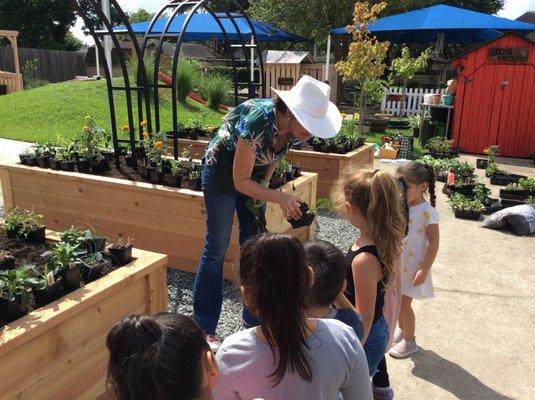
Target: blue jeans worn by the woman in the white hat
208 287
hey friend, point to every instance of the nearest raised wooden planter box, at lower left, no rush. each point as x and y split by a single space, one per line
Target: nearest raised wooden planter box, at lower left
59 351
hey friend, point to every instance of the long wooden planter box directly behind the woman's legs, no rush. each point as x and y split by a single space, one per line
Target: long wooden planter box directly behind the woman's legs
161 219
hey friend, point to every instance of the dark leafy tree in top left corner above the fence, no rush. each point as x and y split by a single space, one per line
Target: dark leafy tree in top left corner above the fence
42 24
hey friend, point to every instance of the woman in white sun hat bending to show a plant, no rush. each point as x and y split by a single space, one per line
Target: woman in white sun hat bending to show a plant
239 162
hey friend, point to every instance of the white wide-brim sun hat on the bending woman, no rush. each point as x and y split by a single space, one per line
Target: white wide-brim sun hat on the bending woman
309 102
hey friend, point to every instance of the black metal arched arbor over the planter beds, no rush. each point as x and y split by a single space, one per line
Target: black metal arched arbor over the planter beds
145 85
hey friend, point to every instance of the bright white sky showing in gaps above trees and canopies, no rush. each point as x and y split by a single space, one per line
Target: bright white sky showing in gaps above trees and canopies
512 10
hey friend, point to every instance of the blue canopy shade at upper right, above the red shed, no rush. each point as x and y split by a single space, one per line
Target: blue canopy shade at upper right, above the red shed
457 23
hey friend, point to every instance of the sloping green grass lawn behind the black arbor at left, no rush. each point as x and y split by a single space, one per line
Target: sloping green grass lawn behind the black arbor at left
54 110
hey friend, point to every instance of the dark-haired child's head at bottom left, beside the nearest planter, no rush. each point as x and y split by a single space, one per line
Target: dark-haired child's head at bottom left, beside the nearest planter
161 357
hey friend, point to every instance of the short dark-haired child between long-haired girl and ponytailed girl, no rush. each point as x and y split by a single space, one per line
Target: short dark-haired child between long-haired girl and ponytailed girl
329 266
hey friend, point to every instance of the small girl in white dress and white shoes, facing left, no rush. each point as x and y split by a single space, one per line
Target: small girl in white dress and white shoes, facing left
419 252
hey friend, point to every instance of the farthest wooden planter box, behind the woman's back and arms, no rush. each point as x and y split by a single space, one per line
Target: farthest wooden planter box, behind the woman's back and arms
328 166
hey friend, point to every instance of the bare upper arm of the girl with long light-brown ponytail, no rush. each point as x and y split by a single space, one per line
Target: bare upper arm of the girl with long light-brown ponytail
366 273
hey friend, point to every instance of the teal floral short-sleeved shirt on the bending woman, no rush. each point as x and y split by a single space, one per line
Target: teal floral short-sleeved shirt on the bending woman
254 122
